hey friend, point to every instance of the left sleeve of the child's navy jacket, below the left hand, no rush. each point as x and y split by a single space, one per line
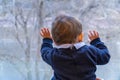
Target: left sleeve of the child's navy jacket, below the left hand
46 50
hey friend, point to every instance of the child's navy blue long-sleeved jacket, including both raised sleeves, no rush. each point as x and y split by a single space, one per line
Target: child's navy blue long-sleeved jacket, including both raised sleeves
75 64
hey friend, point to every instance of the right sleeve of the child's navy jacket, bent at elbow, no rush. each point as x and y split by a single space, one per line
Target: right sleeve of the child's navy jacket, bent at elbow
101 52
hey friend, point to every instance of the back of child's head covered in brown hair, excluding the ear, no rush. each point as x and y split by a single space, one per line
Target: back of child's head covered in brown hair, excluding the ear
65 30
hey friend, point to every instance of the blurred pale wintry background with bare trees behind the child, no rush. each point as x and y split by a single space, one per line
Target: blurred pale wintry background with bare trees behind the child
20 21
